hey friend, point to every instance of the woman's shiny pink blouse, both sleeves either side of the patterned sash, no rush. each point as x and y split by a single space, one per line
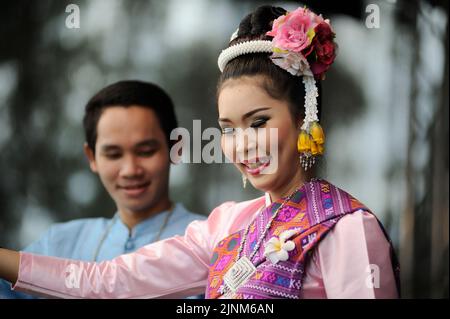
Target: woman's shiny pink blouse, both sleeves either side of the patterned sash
178 266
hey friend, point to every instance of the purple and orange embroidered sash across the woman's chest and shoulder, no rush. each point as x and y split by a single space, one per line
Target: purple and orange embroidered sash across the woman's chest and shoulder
313 210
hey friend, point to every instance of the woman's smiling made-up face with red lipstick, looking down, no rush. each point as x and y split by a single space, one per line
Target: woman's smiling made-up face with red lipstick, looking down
270 162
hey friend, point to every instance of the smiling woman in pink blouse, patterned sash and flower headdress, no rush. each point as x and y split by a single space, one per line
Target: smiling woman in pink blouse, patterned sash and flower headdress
305 239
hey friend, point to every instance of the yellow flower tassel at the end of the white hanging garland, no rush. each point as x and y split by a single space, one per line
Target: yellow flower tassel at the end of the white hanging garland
310 144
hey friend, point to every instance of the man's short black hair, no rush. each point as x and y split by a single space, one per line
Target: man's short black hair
126 94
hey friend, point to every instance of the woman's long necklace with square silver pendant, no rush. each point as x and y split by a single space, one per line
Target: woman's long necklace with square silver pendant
243 268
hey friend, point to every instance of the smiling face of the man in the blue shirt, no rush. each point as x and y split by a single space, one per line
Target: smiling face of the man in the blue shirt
132 158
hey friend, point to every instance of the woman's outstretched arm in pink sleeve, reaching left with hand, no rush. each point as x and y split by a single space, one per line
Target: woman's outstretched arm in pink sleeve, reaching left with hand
175 267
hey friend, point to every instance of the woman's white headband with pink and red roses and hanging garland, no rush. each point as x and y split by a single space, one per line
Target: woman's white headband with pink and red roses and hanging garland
303 45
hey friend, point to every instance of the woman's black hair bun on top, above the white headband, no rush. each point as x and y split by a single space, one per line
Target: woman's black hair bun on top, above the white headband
259 22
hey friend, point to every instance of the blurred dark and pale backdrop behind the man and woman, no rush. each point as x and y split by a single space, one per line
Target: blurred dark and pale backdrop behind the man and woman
385 111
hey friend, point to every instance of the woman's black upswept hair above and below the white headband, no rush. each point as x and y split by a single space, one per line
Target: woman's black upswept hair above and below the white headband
278 83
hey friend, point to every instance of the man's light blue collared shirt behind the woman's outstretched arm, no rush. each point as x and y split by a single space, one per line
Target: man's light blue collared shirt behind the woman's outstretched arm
99 239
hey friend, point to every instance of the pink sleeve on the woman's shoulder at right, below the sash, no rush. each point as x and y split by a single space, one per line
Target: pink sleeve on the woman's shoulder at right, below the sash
340 267
